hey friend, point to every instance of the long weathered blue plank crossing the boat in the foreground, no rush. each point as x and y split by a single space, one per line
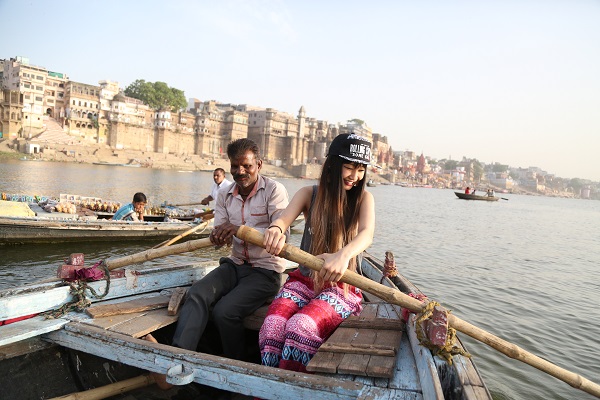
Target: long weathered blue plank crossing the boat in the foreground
237 376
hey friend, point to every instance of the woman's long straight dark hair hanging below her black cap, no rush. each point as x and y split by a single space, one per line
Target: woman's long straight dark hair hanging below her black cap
334 219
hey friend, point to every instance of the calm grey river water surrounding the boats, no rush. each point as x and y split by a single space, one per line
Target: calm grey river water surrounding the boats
525 268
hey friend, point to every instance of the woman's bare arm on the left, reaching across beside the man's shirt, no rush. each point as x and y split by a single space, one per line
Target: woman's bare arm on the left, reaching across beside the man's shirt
274 236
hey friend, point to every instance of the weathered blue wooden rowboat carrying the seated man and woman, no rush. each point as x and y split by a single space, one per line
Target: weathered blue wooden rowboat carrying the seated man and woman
42 358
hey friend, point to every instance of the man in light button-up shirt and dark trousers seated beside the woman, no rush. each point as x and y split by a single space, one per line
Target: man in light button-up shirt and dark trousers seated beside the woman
250 276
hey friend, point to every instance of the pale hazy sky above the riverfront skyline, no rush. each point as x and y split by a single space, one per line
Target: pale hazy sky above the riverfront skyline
509 81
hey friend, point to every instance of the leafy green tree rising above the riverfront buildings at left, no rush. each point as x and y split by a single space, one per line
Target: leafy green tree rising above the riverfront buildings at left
157 95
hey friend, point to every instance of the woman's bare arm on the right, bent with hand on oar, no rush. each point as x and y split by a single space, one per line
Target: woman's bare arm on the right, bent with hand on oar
336 264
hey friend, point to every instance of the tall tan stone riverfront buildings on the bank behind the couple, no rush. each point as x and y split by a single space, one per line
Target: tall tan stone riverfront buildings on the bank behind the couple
102 115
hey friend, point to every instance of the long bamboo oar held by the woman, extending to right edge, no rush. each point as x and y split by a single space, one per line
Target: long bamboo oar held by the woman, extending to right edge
393 296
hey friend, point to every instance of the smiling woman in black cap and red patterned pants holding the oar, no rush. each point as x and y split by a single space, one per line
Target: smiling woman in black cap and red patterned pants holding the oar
339 224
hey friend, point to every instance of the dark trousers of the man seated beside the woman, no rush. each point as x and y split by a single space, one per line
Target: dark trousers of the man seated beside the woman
234 292
